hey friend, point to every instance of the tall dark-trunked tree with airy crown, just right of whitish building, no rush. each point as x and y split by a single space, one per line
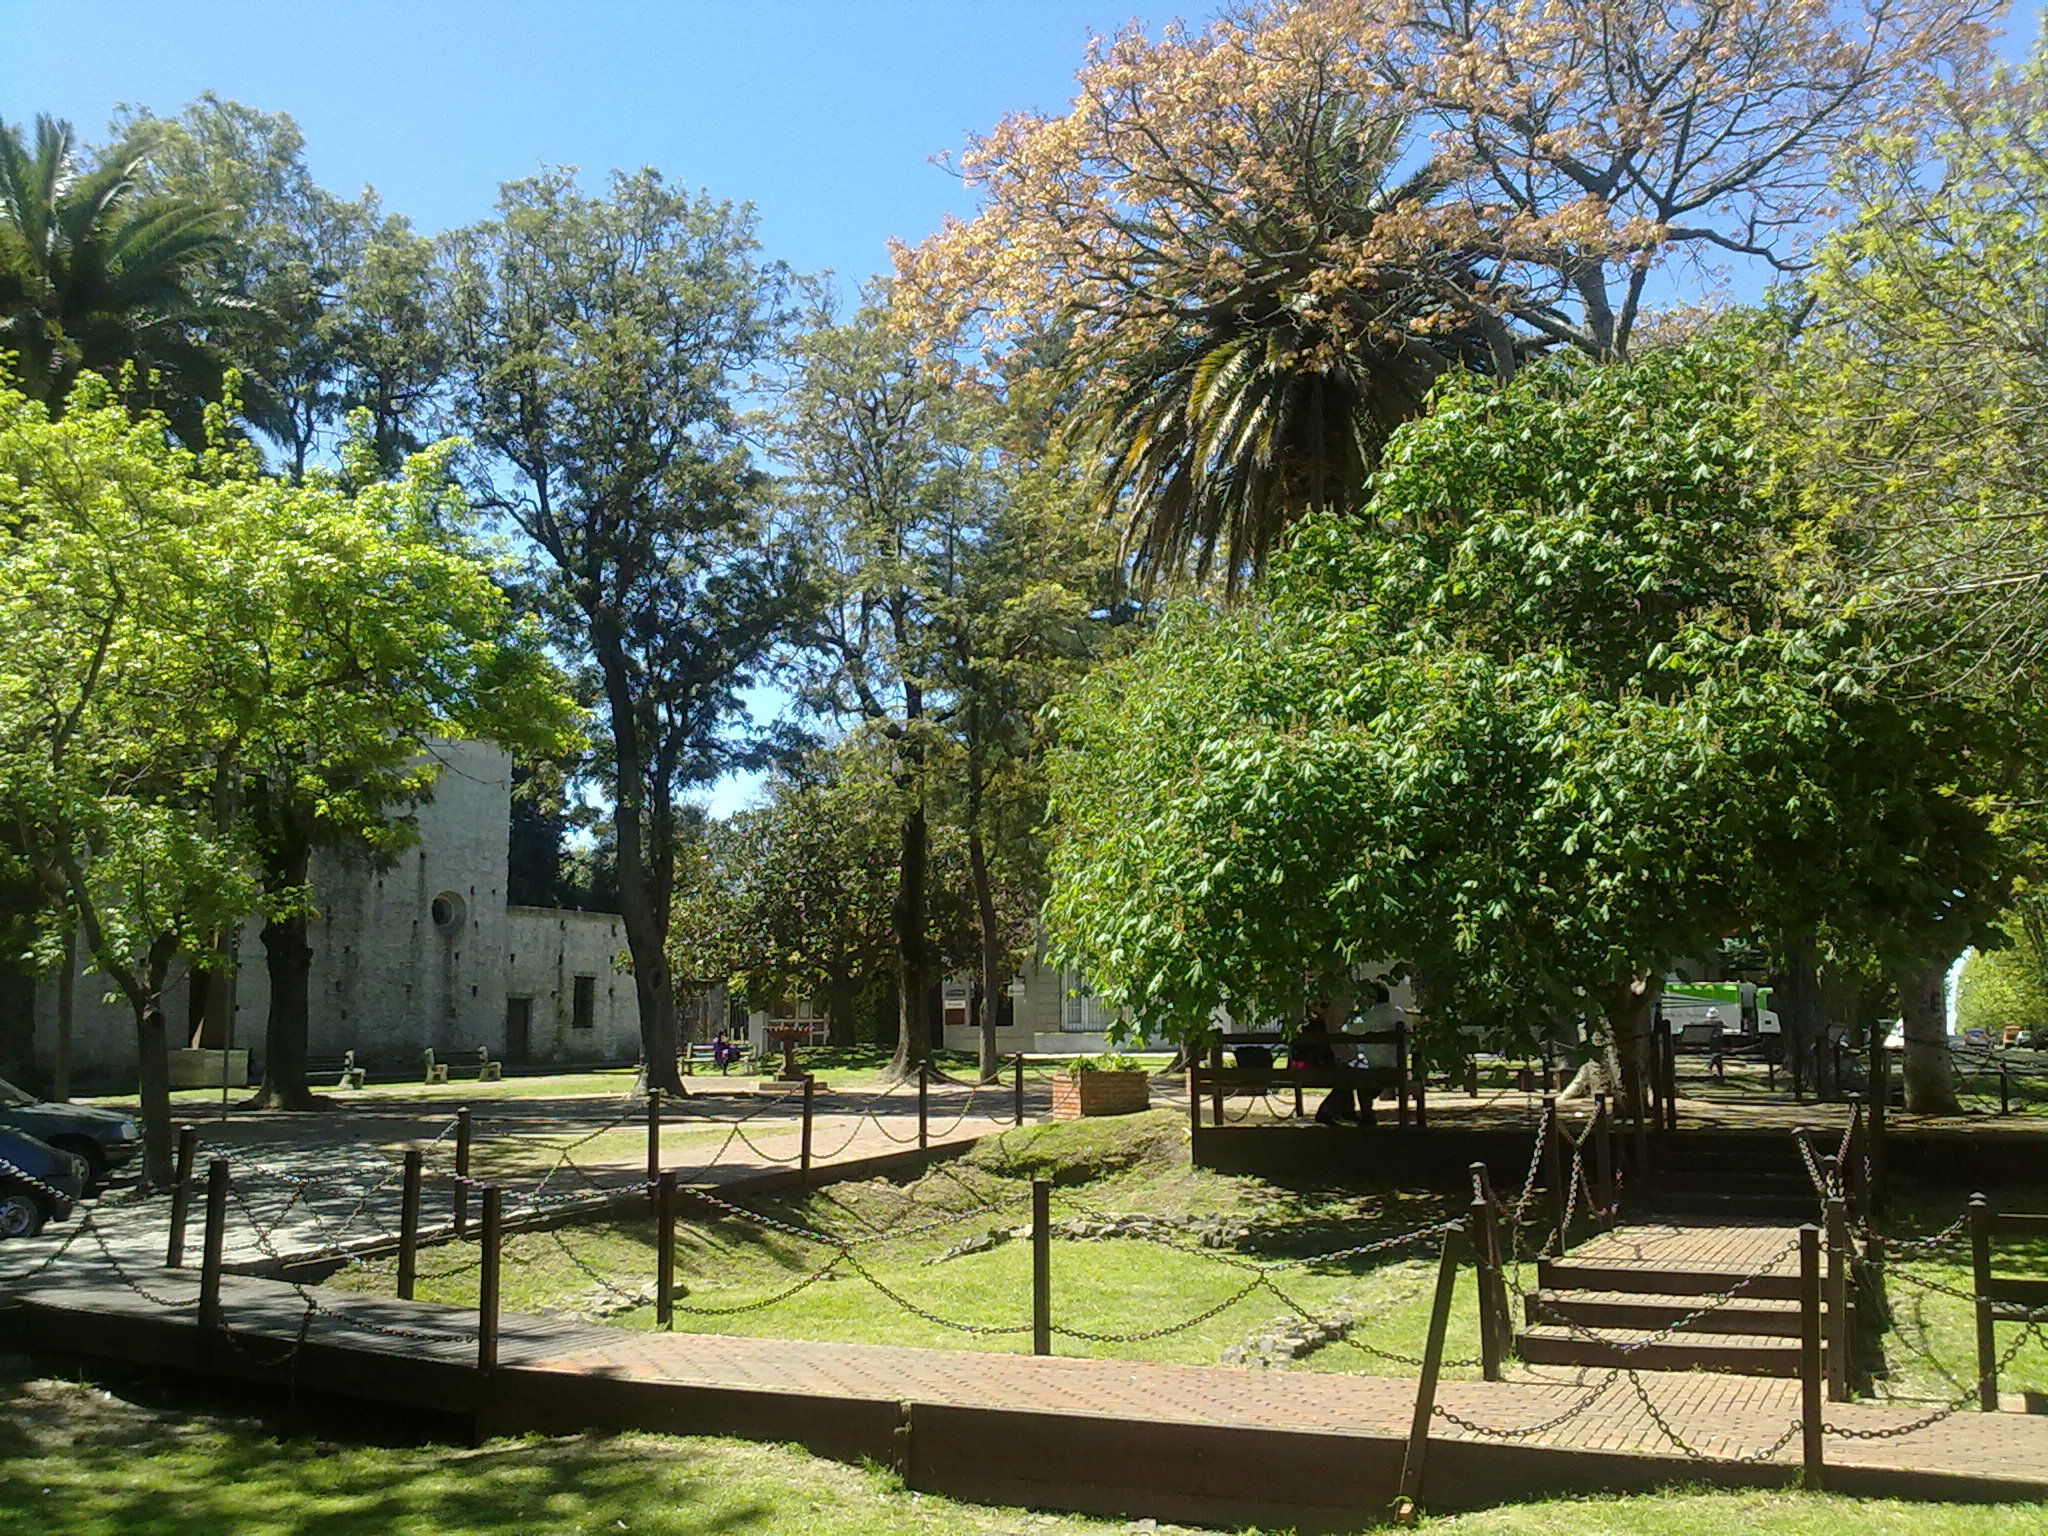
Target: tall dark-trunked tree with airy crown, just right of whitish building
601 347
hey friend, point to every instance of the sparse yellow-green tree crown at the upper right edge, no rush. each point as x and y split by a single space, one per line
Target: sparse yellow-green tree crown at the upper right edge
1924 384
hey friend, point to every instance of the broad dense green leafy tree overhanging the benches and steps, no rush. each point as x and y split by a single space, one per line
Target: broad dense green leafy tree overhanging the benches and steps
1539 722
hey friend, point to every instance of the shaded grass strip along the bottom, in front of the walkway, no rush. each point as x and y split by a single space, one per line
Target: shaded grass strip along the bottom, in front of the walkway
124 1457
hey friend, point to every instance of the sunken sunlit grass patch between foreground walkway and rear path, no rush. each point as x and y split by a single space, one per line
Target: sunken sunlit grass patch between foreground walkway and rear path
732 1273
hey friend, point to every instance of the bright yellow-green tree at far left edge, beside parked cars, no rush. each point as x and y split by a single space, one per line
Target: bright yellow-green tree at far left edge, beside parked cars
105 728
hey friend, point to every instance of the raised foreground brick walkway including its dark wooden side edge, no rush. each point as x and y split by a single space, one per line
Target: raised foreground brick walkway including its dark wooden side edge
1316 1451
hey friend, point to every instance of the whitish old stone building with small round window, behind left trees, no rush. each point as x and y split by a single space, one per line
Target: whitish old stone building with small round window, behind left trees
423 953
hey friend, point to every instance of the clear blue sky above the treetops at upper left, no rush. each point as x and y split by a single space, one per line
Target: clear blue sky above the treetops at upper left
822 114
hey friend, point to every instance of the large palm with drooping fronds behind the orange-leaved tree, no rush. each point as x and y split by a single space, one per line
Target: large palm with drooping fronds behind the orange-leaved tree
1267 394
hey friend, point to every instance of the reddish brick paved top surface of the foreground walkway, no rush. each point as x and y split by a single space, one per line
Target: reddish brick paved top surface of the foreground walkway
1721 1418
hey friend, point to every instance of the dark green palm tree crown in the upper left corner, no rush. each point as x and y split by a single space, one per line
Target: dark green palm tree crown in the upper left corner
101 278
